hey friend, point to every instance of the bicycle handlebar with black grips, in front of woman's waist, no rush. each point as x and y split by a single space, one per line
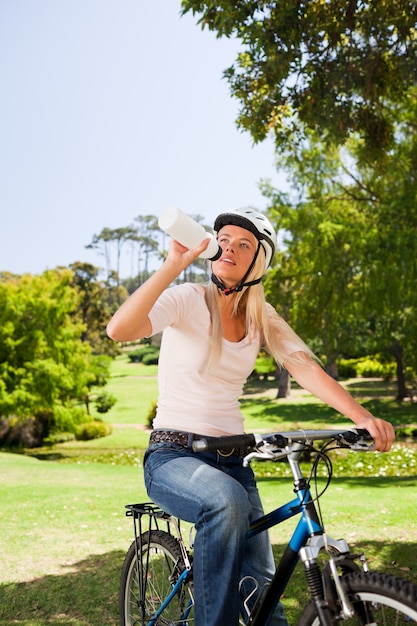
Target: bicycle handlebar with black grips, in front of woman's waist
354 438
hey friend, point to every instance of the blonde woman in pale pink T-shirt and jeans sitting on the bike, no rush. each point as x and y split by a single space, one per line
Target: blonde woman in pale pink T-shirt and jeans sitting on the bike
212 336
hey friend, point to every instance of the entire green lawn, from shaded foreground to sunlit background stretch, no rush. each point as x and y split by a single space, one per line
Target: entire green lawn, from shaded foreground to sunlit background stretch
64 531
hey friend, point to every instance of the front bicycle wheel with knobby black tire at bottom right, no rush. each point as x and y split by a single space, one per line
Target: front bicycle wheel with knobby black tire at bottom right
377 598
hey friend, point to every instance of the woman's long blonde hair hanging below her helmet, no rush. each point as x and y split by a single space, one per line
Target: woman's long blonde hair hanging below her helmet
277 337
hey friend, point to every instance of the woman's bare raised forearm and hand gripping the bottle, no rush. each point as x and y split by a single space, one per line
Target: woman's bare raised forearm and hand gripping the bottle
131 320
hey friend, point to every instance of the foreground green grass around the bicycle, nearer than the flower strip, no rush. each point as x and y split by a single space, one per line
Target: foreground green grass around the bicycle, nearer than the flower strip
64 535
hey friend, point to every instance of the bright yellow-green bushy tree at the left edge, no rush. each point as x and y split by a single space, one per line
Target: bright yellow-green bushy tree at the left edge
44 365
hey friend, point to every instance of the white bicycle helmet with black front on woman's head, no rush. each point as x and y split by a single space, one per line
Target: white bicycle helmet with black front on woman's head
256 223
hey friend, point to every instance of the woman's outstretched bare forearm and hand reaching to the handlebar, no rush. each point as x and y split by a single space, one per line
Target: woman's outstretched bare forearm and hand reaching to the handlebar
313 378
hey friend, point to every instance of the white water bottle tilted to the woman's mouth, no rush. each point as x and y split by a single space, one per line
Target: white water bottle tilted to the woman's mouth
188 232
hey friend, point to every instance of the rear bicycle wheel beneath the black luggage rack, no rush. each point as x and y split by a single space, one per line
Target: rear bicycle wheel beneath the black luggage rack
161 571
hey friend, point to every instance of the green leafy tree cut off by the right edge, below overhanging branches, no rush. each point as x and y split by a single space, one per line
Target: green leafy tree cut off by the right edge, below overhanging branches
389 278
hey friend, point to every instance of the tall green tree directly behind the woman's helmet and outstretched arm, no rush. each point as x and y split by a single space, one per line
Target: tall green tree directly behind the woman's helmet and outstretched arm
315 277
